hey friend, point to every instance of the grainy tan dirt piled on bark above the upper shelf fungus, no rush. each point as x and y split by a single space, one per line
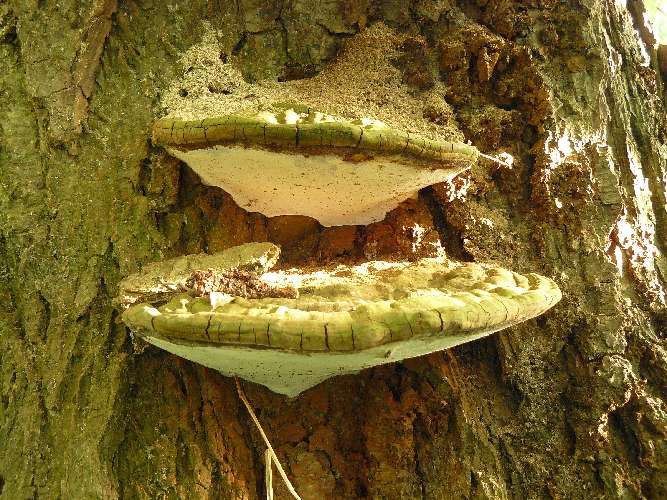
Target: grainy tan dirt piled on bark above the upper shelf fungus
362 81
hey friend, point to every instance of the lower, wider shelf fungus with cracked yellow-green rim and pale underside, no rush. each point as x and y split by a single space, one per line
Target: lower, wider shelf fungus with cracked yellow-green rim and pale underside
338 321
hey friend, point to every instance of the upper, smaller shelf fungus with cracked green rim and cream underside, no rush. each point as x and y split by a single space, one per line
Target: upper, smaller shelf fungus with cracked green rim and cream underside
297 161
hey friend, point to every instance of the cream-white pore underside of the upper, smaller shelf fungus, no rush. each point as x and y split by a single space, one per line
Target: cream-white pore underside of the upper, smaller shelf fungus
326 187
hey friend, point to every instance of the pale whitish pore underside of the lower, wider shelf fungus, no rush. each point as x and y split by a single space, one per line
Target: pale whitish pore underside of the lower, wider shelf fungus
291 373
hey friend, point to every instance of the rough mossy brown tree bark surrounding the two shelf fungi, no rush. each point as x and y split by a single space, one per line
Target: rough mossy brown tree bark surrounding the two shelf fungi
568 405
